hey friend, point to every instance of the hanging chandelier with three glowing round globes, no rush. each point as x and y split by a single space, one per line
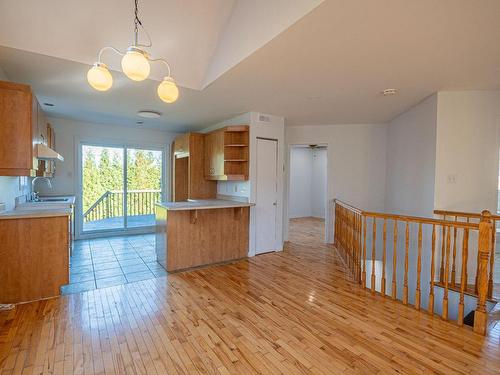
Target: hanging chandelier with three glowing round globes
135 65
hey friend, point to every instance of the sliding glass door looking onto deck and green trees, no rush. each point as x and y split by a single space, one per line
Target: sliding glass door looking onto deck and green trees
119 187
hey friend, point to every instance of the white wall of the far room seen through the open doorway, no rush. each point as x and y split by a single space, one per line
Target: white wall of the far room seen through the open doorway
307 182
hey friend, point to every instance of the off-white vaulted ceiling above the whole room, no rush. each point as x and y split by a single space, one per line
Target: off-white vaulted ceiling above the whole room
309 61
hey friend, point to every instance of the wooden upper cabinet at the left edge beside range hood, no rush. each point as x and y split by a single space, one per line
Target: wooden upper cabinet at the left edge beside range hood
19 132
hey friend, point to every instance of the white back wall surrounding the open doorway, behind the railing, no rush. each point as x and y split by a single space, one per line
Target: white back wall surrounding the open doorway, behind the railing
355 165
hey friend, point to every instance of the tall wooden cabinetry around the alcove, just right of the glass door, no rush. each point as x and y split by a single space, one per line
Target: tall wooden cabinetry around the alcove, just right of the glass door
188 180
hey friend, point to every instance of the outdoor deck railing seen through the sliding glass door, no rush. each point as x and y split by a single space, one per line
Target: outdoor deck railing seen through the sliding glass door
110 204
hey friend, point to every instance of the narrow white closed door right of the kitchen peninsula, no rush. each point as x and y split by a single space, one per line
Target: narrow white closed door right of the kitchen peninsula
267 196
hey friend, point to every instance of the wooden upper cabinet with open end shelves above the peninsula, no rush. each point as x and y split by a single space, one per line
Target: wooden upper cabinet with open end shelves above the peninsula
226 153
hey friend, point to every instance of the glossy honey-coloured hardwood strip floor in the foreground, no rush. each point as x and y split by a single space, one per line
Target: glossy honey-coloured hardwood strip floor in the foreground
291 312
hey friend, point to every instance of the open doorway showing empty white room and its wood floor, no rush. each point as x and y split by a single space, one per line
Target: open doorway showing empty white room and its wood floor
307 202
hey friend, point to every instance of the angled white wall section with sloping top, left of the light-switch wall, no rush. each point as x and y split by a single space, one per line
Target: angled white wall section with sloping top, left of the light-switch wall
411 160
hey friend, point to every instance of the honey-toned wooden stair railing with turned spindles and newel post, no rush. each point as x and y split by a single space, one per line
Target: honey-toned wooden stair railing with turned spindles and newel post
397 256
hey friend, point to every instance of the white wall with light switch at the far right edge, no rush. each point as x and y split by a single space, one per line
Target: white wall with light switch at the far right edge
467 150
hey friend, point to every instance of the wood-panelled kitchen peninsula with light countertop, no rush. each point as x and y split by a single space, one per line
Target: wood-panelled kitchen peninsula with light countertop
201 232
